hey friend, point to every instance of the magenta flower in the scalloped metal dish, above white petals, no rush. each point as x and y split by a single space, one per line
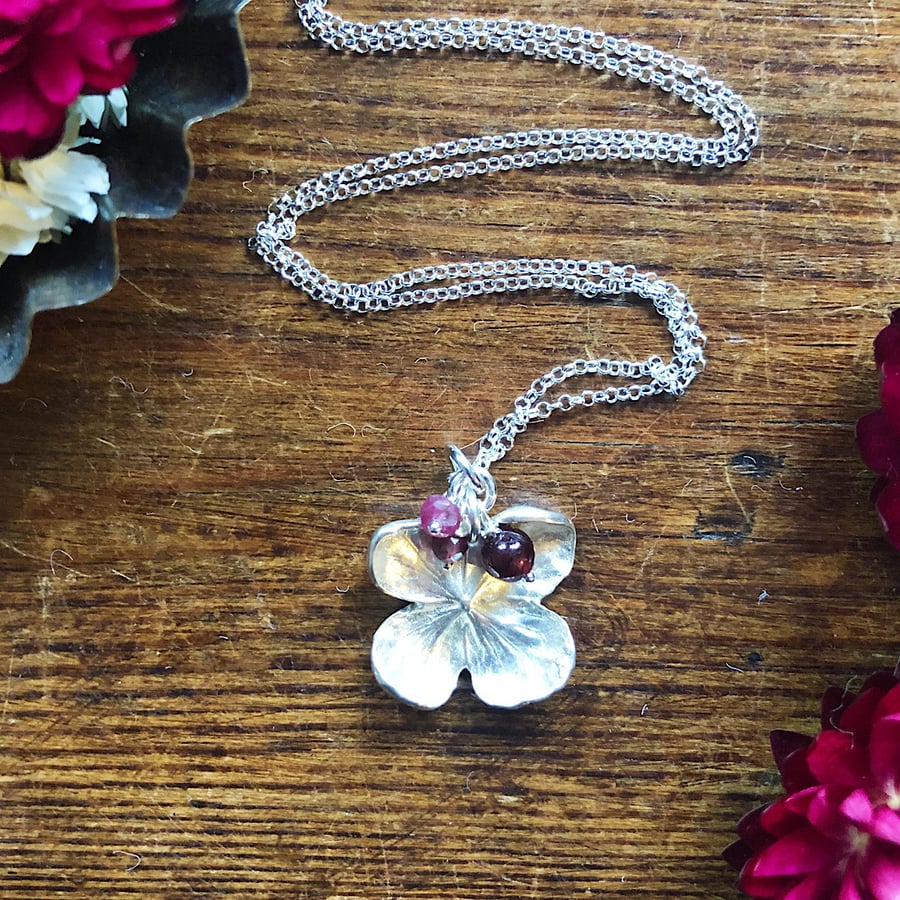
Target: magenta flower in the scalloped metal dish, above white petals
53 50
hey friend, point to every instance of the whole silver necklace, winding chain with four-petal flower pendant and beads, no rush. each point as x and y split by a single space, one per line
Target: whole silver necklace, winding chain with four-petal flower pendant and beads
474 582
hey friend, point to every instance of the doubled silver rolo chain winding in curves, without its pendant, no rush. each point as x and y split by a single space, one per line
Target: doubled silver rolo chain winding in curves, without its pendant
486 154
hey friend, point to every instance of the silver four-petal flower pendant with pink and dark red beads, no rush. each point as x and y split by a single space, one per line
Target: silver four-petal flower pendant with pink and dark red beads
470 606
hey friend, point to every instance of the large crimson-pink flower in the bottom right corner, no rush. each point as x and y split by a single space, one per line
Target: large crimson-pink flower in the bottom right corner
835 832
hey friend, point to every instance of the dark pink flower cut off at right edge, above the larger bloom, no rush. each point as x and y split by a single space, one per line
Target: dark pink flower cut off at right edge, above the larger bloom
878 432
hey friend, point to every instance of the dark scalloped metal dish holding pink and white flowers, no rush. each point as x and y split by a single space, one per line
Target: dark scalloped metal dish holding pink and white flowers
150 167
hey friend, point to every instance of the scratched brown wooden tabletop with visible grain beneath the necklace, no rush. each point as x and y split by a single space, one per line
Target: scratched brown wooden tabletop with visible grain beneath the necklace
193 465
